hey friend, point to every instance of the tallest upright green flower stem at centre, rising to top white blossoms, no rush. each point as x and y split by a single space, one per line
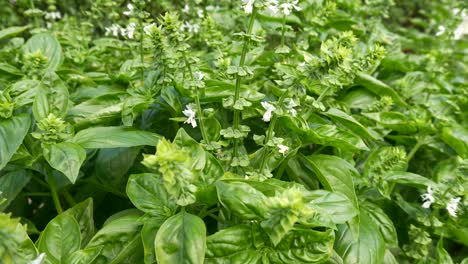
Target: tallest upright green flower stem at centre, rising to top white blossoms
238 80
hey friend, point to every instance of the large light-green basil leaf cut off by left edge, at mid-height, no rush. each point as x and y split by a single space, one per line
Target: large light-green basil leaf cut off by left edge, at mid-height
12 133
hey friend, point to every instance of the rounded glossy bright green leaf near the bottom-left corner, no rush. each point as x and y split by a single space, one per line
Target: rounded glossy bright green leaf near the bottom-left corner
60 238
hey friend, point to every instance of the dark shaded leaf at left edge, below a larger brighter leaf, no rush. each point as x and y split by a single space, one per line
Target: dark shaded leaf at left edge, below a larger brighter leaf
11 185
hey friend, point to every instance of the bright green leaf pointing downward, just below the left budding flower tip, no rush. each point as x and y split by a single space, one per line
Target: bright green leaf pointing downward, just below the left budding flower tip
66 157
